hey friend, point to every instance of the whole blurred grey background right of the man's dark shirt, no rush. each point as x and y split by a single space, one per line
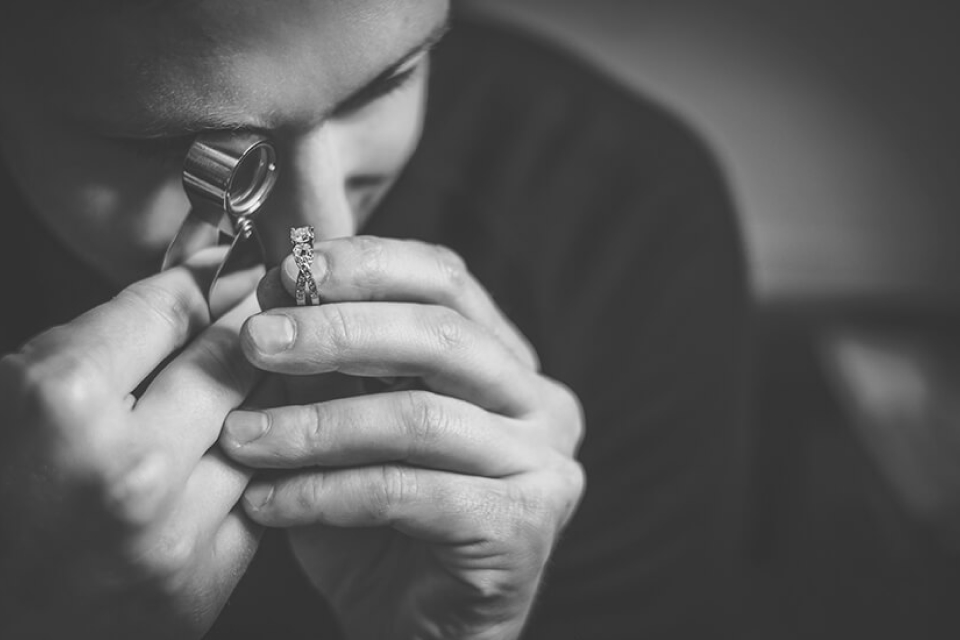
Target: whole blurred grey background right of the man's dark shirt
836 123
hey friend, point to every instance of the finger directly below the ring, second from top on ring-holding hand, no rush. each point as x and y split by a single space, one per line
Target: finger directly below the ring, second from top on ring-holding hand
453 355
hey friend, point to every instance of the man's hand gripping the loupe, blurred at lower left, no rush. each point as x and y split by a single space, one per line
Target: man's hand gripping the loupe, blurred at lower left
118 519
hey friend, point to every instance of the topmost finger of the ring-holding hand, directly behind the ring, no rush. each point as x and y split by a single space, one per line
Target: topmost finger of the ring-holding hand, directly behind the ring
366 268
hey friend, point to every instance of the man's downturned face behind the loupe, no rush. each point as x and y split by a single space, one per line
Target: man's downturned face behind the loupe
95 127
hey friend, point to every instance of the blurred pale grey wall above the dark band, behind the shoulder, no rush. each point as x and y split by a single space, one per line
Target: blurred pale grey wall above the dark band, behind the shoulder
837 122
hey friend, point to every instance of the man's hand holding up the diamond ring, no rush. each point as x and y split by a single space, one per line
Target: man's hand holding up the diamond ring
425 513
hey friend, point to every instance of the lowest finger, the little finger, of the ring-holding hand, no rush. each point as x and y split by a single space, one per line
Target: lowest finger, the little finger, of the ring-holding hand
435 506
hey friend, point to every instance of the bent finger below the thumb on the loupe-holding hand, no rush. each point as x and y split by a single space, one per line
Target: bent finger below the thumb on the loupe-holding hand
182 410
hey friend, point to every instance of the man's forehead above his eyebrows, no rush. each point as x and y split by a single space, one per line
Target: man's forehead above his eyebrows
259 63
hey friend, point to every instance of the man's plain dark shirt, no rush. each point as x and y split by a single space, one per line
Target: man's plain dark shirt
603 228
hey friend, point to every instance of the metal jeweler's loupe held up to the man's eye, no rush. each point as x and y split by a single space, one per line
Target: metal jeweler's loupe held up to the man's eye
227 177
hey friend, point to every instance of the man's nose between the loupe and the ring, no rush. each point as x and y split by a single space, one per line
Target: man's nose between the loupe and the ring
311 189
